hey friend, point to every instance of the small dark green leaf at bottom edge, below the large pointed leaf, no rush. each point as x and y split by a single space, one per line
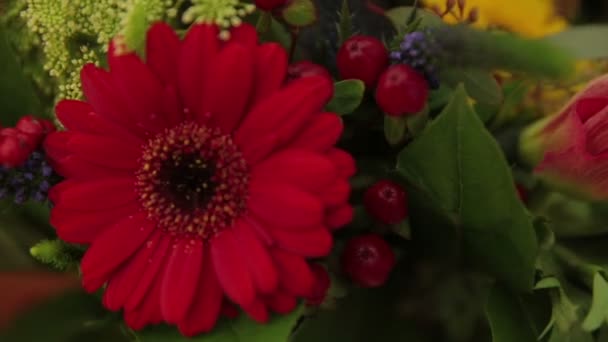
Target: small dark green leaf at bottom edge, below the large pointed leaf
514 318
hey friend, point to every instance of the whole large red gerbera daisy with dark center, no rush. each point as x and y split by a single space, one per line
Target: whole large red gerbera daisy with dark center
199 178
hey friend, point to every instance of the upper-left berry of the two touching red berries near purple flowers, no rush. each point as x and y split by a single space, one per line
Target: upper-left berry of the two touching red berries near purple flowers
363 58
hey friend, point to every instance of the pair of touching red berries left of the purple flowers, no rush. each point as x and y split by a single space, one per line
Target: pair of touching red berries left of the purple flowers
400 88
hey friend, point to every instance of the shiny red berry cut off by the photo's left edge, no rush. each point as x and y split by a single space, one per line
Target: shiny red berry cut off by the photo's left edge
15 147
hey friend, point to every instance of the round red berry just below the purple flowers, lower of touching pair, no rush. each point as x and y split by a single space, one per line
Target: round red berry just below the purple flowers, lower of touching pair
402 90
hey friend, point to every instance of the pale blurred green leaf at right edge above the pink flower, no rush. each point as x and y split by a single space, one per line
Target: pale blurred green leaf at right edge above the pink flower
586 42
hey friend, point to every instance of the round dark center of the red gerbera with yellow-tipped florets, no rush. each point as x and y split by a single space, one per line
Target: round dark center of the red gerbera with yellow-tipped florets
192 180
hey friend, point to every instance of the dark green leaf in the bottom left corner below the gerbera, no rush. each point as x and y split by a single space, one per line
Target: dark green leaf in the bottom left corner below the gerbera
64 318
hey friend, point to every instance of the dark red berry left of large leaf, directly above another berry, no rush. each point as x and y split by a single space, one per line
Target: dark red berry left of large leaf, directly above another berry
386 201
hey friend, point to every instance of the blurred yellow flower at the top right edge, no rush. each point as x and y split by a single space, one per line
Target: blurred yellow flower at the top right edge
530 18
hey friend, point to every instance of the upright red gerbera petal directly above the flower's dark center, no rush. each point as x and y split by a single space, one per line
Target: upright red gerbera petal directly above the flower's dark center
198 51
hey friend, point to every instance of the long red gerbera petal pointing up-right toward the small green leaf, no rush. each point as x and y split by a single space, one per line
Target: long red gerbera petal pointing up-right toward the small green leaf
285 111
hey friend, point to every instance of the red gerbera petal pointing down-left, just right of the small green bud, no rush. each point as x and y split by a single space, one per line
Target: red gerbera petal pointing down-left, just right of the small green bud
113 247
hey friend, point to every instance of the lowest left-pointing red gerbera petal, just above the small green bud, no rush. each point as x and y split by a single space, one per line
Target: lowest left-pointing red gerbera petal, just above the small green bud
82 227
